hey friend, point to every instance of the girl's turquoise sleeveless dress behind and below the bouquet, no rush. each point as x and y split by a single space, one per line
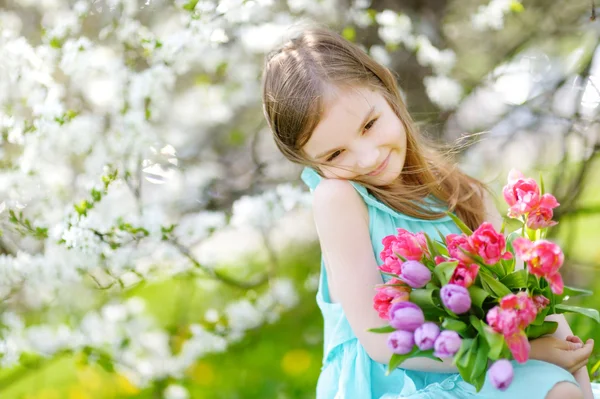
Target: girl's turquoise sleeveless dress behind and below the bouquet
349 373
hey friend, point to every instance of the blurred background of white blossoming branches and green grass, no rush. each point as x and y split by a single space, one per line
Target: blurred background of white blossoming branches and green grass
154 243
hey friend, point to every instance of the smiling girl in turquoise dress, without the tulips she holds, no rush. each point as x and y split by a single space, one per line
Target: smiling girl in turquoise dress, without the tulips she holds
334 109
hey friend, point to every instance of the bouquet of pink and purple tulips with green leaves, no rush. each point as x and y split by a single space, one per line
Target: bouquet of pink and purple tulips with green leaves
461 296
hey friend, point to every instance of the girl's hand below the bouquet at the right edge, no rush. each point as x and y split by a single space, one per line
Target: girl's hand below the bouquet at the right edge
570 354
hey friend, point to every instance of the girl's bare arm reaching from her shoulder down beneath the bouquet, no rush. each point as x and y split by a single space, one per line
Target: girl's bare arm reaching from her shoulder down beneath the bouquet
342 223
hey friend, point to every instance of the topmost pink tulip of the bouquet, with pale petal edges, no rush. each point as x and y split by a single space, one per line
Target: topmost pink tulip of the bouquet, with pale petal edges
521 194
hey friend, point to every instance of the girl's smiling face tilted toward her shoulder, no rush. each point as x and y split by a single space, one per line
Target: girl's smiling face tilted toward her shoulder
359 136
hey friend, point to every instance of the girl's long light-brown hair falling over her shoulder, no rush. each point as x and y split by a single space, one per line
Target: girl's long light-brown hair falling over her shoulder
296 78
